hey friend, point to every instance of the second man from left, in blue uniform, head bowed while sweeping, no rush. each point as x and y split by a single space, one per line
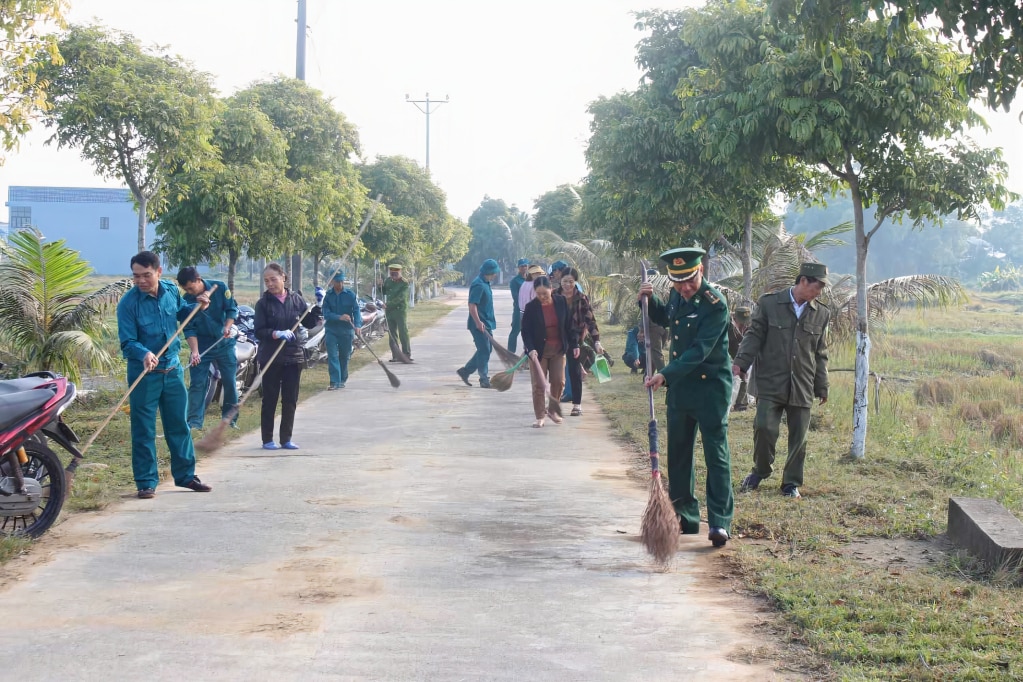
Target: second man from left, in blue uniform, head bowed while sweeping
212 332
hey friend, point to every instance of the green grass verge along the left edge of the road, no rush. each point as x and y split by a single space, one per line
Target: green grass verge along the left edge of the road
106 474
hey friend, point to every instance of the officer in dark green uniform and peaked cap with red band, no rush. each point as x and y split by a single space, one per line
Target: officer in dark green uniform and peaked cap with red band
699 385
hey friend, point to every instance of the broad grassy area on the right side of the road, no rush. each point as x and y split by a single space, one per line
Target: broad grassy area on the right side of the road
863 620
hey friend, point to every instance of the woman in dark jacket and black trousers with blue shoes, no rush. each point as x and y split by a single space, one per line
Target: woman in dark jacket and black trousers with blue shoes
277 312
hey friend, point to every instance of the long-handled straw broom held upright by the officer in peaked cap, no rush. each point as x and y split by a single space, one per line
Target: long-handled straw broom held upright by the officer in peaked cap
660 524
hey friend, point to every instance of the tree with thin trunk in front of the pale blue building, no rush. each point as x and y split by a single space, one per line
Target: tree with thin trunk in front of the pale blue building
138 115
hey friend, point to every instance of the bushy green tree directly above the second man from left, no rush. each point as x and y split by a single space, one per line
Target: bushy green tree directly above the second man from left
242 203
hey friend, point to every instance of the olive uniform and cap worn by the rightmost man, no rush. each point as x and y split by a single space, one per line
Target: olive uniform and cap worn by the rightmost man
791 355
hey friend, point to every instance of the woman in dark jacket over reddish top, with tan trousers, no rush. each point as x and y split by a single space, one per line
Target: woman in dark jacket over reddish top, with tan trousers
546 337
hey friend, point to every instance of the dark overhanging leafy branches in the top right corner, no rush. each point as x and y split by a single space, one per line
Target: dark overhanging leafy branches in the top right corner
991 30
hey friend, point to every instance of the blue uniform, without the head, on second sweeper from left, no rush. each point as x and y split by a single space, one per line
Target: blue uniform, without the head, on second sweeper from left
208 329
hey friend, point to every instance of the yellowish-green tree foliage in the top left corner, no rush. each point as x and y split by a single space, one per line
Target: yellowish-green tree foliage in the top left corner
24 51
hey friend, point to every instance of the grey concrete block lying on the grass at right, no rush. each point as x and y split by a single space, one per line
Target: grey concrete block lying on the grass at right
987 530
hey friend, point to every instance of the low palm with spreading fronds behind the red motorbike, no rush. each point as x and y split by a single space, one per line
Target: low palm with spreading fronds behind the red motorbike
49 317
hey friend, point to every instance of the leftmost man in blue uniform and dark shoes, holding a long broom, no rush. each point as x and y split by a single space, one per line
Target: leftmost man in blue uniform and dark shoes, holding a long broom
148 316
